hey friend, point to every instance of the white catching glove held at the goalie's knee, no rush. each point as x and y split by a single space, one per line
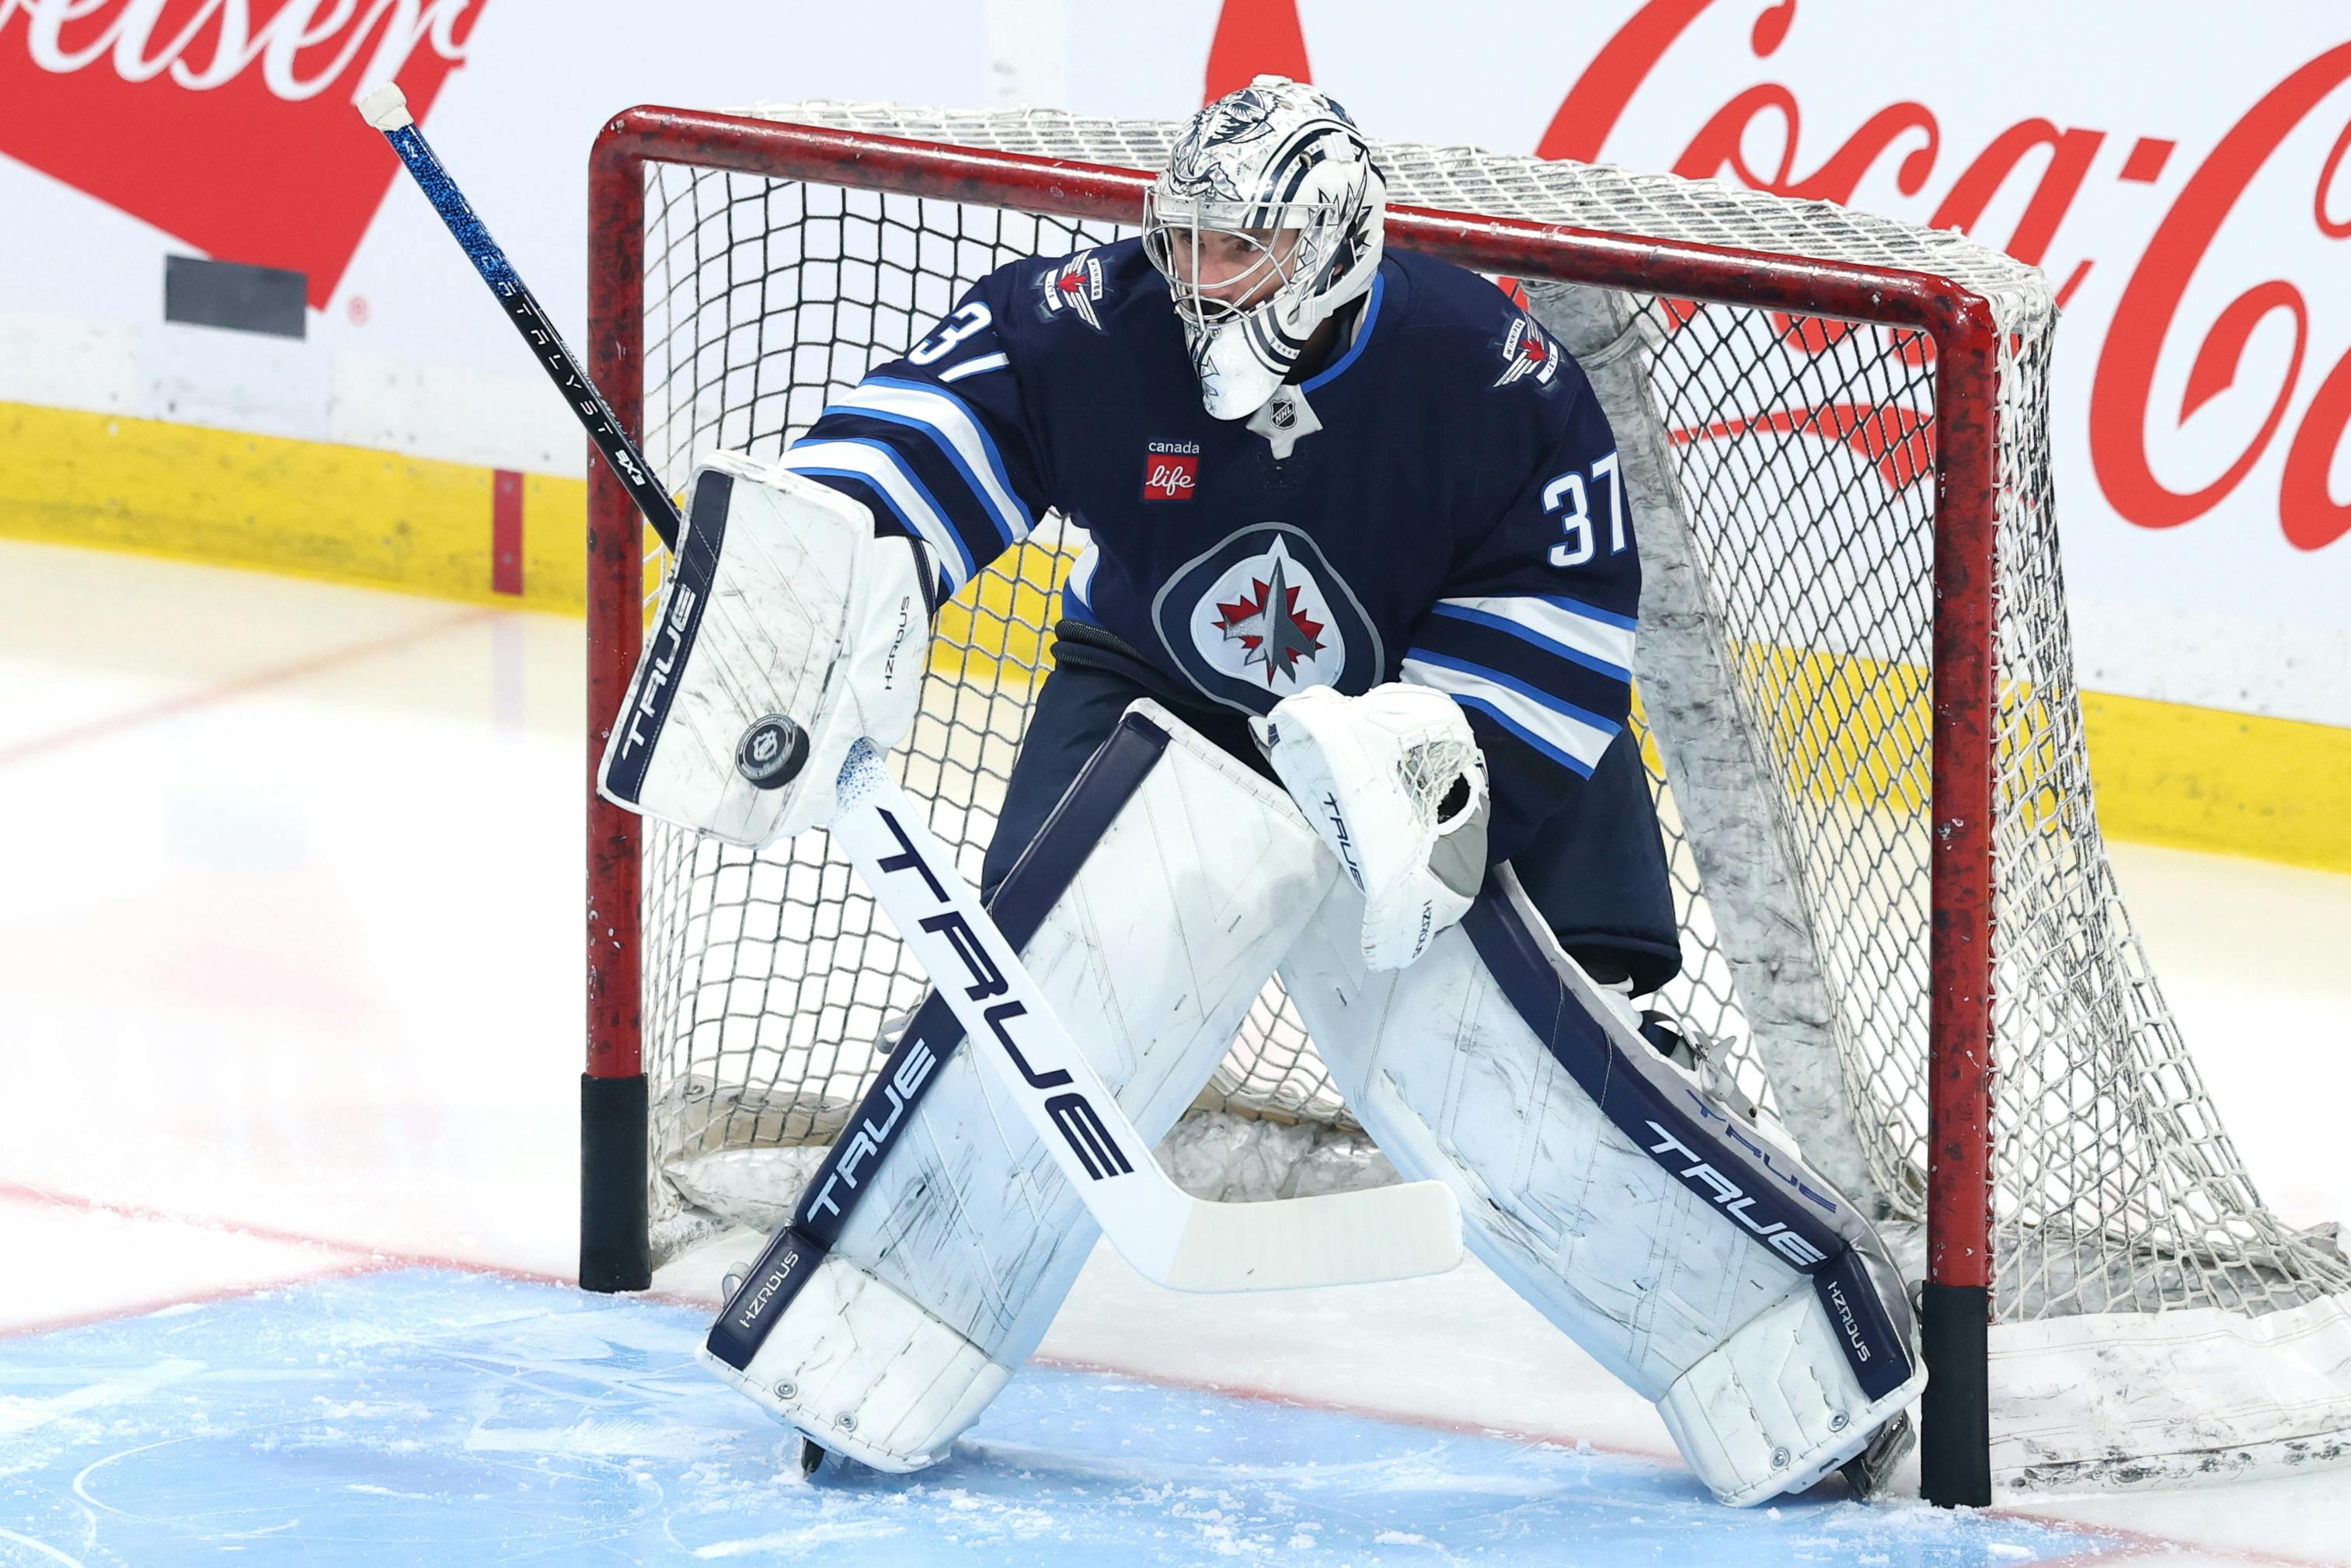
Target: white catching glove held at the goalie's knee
1395 786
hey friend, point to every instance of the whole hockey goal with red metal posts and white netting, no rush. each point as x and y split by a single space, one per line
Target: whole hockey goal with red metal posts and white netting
1856 697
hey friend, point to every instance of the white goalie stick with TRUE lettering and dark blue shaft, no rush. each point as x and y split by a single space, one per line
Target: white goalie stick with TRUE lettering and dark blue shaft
1165 1233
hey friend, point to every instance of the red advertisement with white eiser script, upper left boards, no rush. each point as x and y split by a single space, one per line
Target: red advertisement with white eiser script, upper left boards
227 123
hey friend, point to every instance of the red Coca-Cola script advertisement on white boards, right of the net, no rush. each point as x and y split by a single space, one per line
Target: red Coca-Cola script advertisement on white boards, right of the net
2185 199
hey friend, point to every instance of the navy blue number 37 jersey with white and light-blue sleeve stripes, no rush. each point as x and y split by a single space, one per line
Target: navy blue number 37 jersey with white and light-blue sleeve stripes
1456 521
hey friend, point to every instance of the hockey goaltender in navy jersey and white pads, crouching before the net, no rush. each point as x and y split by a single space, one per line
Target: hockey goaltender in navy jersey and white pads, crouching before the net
1365 568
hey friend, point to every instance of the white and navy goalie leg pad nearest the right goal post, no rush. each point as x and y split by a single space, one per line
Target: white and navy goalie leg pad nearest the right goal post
1687 1252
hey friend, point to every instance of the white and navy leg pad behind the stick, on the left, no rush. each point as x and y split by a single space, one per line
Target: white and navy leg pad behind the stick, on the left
939 1193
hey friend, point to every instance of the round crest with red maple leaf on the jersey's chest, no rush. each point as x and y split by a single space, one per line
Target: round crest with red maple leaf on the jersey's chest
1266 615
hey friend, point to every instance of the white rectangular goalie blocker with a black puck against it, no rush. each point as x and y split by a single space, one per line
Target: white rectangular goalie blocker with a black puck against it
786 634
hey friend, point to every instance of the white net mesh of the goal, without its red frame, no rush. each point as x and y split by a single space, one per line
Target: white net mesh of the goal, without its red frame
1786 650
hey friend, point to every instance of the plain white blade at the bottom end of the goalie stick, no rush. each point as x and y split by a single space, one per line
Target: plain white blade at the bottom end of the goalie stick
1337 1240
